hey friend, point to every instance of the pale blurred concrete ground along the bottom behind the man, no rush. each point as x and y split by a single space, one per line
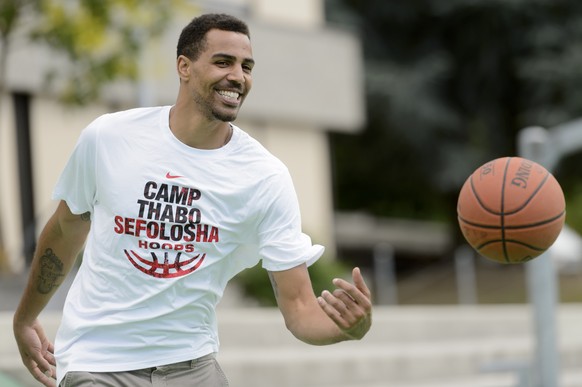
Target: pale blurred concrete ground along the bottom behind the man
408 346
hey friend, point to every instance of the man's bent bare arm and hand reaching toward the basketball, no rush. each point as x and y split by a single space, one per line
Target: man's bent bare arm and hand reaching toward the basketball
342 314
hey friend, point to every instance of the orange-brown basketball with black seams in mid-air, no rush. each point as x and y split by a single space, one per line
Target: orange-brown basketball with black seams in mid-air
511 210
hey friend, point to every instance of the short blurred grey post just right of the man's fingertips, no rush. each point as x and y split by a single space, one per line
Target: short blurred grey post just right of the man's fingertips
385 275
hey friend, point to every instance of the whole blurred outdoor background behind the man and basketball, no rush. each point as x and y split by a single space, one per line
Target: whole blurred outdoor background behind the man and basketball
381 110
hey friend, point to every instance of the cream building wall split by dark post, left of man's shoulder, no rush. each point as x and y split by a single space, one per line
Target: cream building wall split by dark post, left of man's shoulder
54 132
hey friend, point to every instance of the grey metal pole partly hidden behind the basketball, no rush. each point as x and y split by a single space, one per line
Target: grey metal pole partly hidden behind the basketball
542 279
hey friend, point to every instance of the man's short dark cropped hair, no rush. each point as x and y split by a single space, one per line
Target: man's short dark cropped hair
192 40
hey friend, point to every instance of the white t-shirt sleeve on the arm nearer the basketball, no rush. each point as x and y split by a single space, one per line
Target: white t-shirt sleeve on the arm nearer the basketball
282 244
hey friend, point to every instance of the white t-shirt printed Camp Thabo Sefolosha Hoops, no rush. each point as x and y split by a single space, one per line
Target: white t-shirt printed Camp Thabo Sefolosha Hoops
171 225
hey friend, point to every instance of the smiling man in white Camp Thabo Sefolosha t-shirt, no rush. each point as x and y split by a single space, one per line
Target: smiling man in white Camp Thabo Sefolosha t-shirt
172 202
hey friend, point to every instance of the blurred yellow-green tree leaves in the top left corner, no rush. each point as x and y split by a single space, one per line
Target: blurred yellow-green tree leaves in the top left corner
100 38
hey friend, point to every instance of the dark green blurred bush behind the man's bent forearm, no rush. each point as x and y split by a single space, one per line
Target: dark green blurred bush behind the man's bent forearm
256 284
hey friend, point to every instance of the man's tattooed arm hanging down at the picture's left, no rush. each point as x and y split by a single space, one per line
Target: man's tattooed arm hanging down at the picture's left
58 246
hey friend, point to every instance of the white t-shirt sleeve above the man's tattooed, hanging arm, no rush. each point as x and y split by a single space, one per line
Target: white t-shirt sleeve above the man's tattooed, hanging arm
77 182
